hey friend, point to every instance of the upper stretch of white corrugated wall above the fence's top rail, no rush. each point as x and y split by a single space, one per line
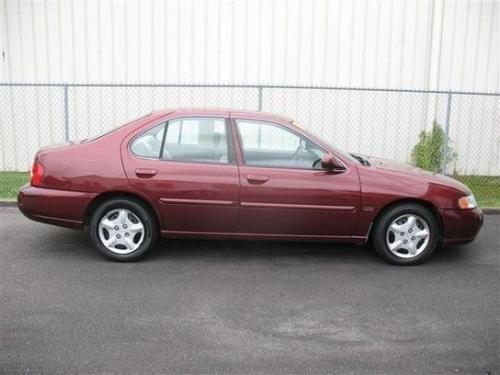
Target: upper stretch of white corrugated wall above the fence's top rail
410 44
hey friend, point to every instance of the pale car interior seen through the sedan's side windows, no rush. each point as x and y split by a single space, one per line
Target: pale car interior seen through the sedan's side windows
205 140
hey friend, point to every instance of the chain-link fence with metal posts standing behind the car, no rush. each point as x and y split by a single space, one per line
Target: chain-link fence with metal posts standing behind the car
456 133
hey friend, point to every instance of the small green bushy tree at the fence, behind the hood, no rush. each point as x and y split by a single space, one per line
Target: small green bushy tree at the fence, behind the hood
432 152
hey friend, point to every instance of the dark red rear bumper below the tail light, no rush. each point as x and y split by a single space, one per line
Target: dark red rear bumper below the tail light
58 207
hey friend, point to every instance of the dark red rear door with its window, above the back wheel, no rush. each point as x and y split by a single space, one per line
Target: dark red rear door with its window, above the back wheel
187 167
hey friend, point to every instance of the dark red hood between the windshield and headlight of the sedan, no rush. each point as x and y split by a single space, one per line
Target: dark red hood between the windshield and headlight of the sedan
404 168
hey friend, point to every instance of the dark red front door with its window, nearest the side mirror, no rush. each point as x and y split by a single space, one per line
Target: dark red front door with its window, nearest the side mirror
284 191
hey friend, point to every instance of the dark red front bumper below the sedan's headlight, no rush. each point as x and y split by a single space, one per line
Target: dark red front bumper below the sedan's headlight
461 226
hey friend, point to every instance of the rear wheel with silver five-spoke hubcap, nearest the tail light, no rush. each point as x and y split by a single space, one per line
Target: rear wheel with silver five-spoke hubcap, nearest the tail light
123 229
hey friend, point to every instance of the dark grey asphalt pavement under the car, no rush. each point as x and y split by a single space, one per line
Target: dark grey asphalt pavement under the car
244 307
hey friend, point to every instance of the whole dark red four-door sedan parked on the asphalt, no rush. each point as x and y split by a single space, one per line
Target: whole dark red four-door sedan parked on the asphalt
244 175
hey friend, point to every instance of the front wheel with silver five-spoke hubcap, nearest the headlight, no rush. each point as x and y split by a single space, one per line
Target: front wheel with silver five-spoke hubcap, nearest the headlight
400 242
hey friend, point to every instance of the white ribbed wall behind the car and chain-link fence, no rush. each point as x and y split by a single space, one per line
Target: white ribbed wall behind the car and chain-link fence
386 44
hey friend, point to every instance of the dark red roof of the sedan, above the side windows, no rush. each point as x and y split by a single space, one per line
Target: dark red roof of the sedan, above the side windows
225 112
